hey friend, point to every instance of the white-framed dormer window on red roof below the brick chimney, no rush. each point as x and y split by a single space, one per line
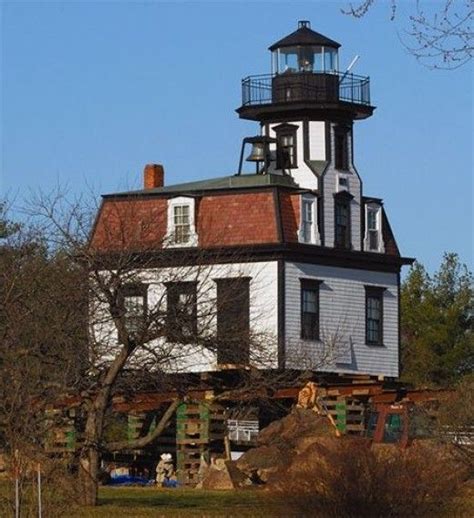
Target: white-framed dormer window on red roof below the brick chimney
181 224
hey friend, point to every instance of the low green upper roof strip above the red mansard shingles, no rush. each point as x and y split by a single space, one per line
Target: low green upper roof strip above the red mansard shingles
226 182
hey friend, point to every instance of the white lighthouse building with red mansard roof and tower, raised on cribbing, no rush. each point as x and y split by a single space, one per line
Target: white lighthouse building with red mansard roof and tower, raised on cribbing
288 267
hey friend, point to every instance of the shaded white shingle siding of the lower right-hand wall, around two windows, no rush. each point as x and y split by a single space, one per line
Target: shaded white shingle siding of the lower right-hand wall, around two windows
342 320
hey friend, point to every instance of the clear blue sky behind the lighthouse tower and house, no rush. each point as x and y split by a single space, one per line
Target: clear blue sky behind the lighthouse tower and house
91 91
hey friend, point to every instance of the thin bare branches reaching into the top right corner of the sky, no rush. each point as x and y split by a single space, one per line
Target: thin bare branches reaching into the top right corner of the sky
439 34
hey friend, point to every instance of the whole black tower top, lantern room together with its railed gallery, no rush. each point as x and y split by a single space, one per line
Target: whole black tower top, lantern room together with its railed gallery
306 77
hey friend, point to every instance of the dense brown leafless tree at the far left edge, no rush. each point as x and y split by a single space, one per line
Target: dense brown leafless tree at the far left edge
42 342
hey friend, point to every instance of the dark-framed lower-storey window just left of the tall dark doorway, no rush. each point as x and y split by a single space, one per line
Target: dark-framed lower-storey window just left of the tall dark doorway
174 330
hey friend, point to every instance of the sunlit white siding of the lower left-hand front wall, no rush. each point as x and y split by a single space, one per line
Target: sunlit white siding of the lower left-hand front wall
190 358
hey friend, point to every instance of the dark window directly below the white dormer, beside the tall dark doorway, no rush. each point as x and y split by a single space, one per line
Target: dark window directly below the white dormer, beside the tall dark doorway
181 315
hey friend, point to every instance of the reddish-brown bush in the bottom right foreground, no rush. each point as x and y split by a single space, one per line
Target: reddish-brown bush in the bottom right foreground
349 478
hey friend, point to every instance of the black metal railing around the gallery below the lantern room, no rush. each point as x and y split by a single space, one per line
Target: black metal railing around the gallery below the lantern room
305 86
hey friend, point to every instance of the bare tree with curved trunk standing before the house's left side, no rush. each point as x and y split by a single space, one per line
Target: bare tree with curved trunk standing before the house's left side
134 329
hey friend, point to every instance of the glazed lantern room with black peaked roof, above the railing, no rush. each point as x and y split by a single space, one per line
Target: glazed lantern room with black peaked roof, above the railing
305 51
